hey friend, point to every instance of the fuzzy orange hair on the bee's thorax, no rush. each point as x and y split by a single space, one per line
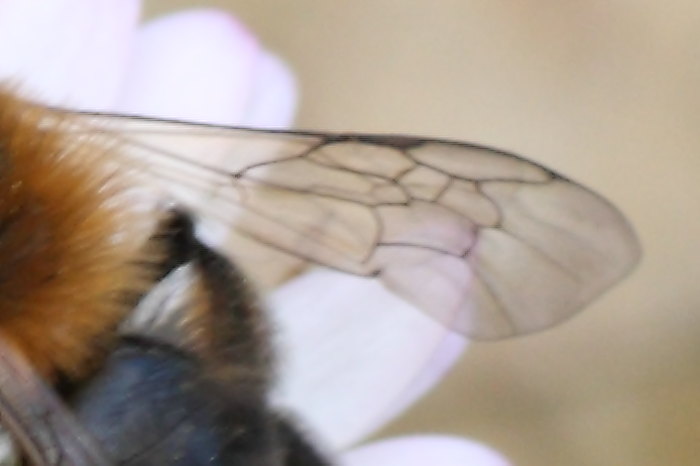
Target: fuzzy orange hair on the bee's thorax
69 238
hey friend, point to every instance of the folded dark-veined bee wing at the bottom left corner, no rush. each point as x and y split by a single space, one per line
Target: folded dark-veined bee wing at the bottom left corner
37 418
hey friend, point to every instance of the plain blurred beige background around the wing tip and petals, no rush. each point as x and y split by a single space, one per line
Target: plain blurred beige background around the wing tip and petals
606 91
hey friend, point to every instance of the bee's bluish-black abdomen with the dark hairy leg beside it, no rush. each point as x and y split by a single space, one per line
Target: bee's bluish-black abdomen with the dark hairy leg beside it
156 403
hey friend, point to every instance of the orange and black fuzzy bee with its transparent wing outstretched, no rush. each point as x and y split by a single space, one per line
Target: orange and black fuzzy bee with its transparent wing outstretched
106 218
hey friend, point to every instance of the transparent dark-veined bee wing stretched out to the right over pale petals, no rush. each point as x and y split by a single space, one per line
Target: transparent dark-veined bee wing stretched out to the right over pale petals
489 243
